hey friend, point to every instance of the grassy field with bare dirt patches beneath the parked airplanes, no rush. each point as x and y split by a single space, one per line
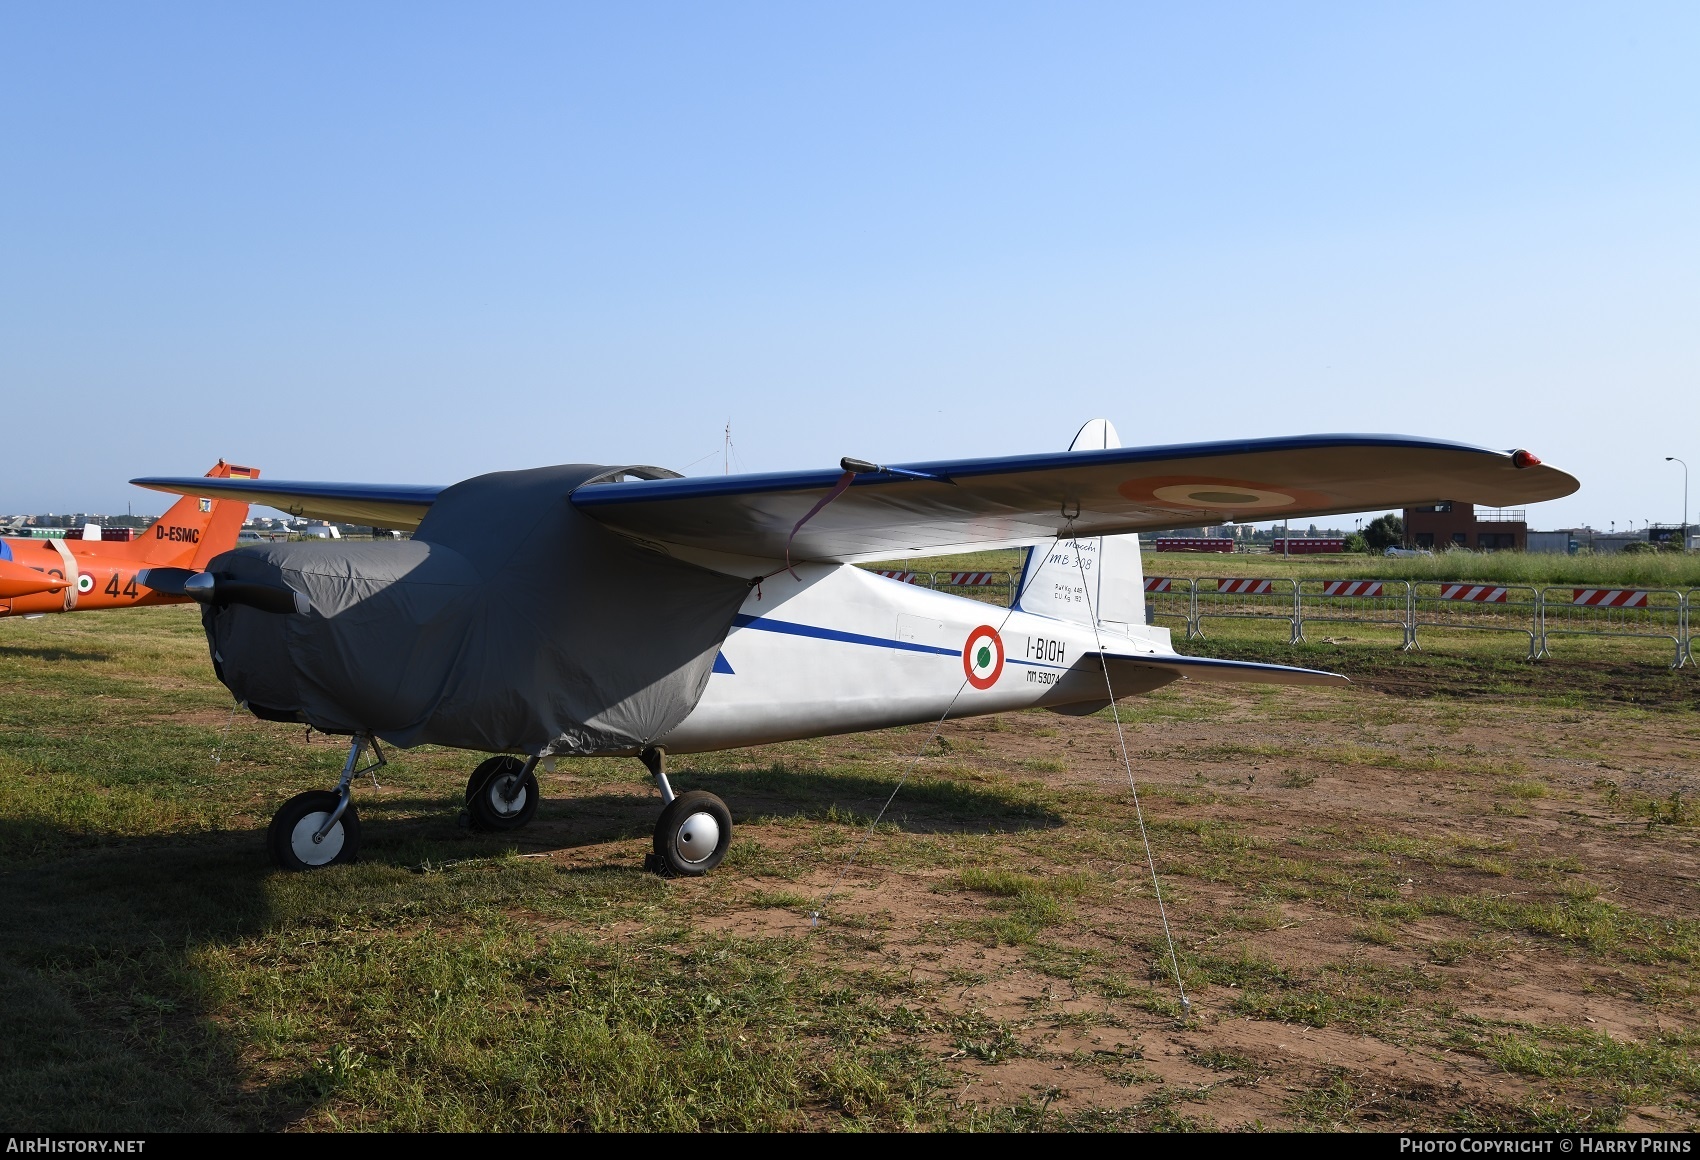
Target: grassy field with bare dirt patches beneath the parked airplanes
1458 896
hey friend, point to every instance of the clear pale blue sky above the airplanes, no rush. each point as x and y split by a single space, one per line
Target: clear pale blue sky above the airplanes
419 242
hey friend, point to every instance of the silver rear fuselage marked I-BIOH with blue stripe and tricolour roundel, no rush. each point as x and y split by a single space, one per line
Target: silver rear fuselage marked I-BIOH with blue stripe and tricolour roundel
841 651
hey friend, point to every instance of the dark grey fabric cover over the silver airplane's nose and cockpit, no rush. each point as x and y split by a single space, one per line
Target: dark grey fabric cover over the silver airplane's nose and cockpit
509 623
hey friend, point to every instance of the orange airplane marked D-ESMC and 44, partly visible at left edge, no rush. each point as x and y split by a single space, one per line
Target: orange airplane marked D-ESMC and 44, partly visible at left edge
81 576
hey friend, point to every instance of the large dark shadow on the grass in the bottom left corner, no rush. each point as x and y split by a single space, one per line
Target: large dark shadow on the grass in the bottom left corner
103 1021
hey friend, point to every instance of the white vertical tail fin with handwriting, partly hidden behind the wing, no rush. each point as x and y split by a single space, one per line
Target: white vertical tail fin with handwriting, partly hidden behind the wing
1077 577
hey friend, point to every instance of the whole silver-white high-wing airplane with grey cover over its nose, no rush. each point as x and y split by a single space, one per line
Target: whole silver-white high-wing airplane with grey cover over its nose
632 611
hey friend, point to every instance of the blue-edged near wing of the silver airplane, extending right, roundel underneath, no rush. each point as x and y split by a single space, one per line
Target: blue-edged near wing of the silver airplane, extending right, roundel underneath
990 503
